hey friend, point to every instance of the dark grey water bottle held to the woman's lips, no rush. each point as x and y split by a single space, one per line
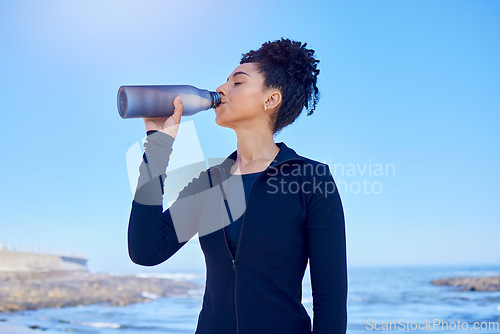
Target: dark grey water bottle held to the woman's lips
158 101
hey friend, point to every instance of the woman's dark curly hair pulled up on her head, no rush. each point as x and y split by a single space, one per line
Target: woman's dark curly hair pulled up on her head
290 67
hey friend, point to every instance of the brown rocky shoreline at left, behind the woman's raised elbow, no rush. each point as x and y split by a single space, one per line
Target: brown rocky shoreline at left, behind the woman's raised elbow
31 290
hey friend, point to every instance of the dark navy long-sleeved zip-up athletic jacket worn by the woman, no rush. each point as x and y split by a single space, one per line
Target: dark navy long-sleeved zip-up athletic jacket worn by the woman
294 215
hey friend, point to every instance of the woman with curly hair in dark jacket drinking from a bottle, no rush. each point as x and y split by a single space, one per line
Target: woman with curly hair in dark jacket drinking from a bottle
293 213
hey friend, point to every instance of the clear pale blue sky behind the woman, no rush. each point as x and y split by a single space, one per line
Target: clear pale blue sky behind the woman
408 84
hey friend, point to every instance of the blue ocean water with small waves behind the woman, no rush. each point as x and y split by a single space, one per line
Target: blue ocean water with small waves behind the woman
380 299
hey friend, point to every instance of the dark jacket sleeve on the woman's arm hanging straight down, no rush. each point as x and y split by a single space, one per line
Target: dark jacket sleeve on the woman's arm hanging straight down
327 256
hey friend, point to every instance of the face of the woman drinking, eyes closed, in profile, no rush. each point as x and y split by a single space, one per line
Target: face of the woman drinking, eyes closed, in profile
243 98
